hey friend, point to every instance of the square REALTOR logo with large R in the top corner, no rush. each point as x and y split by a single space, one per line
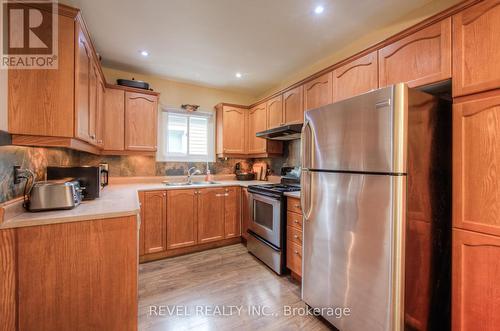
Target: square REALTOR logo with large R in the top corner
29 34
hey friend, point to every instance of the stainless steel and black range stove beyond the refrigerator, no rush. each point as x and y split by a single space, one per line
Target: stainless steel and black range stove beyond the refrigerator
267 225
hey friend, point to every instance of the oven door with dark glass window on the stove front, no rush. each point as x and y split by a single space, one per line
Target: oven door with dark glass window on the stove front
266 217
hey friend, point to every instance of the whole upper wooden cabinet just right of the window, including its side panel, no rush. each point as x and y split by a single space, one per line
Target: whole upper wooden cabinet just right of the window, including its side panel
232 123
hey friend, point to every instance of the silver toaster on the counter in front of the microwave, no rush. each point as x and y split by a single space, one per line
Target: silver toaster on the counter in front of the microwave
54 194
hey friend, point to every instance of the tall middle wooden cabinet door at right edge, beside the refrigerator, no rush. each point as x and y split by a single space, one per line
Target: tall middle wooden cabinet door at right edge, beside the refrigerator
476 158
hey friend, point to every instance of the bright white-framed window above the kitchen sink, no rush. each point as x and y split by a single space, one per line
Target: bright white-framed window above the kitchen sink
186 136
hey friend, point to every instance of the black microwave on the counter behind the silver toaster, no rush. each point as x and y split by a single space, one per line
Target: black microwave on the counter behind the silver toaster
92 179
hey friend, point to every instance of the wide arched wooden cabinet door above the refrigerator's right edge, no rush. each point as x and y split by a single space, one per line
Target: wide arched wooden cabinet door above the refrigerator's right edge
419 59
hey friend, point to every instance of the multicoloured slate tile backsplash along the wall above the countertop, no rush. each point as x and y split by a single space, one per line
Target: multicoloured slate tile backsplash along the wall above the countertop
37 159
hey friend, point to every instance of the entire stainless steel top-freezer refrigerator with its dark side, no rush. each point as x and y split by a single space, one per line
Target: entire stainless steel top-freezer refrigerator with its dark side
376 194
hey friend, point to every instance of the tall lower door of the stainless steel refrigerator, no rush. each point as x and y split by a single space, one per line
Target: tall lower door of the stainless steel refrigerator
352 244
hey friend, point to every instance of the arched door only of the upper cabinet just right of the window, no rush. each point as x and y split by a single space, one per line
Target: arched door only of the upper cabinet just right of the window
234 129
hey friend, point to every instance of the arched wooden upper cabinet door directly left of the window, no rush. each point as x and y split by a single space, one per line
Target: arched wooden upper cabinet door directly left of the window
141 114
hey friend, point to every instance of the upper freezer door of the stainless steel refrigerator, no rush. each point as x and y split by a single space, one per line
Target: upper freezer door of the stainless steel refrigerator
366 133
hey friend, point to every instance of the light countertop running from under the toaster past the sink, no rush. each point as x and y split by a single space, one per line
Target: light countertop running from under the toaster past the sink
117 200
